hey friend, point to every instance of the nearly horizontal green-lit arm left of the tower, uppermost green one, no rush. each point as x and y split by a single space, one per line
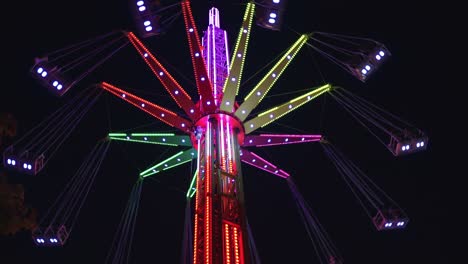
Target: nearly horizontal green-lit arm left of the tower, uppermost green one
153 138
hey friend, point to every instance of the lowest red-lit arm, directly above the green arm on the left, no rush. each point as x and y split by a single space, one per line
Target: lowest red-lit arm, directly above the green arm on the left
159 112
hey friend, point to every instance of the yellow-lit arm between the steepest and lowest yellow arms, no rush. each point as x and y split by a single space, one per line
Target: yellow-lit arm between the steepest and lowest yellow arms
261 89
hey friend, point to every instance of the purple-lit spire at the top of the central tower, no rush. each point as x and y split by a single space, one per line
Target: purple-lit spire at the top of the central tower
216 54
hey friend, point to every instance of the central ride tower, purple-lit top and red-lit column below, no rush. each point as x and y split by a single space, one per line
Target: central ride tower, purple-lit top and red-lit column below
220 223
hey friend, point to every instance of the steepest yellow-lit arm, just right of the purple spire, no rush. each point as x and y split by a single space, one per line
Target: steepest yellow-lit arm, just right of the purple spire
231 85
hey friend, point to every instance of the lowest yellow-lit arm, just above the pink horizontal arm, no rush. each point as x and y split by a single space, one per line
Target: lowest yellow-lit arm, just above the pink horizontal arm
277 112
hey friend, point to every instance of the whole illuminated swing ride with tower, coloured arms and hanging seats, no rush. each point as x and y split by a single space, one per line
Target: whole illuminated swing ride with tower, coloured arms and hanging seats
216 130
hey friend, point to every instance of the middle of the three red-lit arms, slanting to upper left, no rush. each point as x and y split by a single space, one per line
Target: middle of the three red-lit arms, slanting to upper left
176 91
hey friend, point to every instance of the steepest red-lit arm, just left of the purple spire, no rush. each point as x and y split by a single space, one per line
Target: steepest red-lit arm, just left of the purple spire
205 89
